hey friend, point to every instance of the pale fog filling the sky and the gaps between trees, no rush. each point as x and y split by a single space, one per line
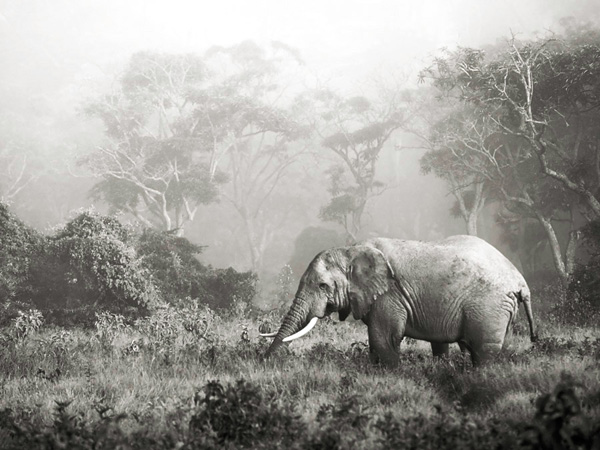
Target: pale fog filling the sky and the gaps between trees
56 57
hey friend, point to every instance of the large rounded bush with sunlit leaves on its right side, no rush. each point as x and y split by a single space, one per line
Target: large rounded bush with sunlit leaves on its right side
90 264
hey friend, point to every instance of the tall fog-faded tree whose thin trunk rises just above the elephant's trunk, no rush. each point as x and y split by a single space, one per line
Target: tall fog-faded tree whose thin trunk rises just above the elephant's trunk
255 133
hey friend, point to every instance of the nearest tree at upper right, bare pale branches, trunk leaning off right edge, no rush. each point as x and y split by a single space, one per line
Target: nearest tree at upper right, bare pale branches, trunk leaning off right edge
546 92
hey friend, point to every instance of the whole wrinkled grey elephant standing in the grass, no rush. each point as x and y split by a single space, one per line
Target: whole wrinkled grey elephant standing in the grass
460 289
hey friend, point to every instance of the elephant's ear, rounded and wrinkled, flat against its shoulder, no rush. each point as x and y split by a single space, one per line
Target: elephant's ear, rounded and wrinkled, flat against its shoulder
369 276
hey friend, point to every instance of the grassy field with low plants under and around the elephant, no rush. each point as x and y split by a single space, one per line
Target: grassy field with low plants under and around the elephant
192 379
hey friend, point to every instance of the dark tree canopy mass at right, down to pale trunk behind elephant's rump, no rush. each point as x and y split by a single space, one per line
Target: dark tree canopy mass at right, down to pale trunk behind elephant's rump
526 129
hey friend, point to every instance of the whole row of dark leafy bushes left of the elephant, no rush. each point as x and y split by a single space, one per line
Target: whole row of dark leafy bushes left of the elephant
94 263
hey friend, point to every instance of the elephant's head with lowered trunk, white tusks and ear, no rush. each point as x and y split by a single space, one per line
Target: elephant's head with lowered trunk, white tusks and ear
337 280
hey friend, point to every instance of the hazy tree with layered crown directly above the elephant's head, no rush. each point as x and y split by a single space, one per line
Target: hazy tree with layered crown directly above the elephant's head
355 130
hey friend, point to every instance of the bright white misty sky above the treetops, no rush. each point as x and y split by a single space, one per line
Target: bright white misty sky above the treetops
340 40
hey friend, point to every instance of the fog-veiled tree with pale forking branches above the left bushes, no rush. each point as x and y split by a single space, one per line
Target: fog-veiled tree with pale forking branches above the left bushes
153 164
